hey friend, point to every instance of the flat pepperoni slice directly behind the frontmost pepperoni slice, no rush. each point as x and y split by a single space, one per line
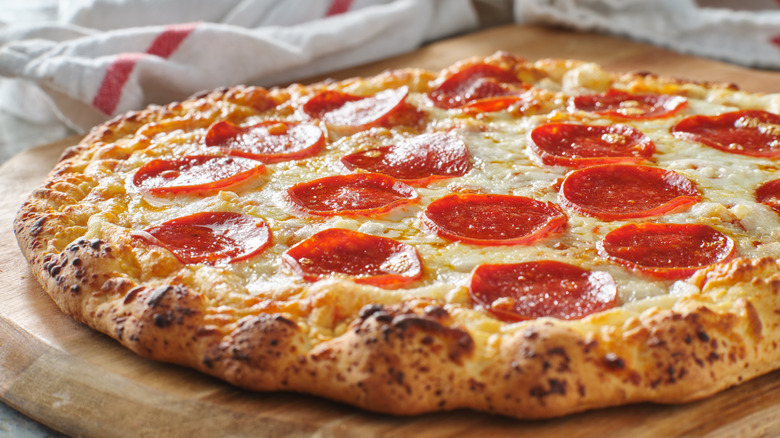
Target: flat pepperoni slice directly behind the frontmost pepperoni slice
480 219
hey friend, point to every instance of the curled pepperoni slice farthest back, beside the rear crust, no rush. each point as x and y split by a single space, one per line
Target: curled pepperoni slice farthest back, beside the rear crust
479 82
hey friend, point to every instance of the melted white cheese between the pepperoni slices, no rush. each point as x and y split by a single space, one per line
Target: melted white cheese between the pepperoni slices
502 163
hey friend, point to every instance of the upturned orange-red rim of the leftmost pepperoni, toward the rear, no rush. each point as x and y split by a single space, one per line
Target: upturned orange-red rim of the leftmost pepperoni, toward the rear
159 165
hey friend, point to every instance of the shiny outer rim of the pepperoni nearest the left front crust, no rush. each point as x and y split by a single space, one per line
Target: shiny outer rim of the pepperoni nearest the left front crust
261 226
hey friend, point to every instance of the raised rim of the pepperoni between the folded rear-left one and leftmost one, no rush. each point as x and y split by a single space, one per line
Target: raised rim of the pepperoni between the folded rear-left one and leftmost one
309 150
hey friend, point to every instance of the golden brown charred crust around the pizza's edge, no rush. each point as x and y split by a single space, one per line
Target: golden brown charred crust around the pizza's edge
374 349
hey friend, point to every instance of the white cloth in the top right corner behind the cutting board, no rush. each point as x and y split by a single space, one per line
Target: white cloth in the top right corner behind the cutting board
745 32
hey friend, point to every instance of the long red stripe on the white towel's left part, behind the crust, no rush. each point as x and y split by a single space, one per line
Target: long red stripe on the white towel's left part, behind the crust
110 90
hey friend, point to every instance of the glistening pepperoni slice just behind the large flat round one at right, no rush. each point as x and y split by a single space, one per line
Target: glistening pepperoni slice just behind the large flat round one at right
567 144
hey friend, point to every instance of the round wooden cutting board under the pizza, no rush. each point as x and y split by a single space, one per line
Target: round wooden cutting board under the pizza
82 383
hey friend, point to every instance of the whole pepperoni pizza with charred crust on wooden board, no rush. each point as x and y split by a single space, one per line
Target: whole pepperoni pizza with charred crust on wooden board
527 238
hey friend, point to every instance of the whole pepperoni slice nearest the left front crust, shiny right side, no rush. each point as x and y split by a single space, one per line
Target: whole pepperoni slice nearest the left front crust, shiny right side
211 237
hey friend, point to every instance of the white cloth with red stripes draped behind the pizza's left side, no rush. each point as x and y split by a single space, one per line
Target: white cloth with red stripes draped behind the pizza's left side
106 57
